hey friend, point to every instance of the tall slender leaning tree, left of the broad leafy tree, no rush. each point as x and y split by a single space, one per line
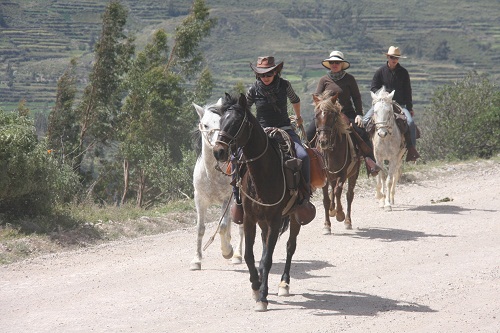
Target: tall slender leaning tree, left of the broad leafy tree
101 99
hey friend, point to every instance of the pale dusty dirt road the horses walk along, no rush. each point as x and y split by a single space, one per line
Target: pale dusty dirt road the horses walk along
430 265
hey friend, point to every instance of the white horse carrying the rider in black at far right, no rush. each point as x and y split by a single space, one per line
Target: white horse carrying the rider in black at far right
388 147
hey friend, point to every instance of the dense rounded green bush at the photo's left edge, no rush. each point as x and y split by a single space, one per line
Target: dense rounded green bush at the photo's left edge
31 181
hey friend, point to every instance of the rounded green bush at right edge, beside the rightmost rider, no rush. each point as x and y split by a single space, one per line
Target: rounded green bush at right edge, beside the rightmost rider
463 120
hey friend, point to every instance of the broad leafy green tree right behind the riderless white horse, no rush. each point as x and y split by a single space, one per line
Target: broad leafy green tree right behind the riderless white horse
157 115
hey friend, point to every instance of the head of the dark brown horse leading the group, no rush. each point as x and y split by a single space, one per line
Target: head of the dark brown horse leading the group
235 129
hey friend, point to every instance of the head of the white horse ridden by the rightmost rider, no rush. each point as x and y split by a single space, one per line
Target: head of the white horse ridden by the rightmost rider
383 116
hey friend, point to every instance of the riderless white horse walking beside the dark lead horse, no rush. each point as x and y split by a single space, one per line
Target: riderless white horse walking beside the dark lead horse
212 187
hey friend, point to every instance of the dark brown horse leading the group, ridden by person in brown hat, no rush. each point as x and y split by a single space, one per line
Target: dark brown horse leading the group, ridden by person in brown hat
263 191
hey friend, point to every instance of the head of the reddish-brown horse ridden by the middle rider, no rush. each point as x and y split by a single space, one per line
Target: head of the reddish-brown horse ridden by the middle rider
328 119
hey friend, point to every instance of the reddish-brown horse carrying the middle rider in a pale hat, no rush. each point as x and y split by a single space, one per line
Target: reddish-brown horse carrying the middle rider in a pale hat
342 163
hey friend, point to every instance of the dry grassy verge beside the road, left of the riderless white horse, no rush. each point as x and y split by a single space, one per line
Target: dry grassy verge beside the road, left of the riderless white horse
73 227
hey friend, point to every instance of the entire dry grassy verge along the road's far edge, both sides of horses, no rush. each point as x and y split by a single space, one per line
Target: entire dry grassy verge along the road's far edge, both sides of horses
74 227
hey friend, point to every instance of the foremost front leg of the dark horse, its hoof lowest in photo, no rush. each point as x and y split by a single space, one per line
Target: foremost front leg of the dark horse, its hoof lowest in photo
265 266
